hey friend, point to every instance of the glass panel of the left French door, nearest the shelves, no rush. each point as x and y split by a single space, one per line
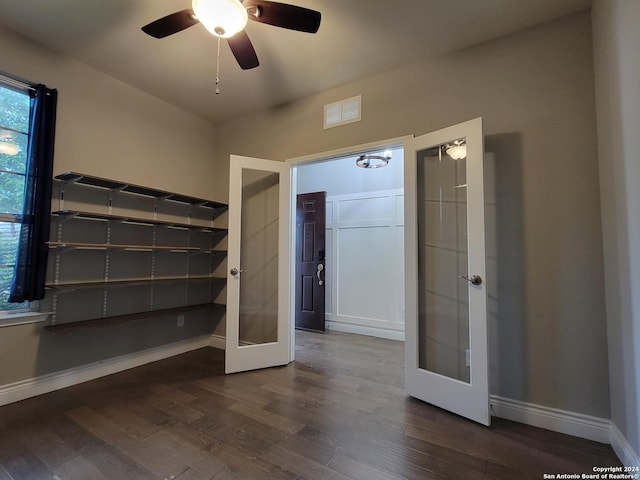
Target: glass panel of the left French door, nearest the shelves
259 258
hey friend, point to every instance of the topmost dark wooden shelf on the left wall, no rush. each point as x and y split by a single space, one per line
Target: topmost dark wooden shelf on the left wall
74 177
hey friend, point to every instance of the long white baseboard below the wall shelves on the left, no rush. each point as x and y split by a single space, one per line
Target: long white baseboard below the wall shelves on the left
32 387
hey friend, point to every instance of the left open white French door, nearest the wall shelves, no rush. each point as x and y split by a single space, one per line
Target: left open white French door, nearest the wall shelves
258 265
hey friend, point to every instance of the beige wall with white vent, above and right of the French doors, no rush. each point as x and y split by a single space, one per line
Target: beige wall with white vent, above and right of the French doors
535 92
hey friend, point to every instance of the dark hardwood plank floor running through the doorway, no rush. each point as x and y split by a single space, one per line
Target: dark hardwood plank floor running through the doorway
338 412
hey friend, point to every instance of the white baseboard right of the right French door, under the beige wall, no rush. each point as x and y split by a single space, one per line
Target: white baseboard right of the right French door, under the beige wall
562 421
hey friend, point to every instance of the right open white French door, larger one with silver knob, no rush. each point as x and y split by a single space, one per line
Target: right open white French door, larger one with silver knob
446 357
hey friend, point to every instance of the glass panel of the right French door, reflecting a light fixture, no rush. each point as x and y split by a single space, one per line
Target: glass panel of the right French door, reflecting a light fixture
443 297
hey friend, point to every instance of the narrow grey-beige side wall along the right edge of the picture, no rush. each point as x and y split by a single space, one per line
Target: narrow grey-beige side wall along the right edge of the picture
616 46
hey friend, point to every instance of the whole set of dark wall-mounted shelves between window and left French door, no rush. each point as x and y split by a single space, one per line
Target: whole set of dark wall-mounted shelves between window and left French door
170 227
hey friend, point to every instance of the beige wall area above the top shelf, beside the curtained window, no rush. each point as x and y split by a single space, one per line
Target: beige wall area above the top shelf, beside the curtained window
110 129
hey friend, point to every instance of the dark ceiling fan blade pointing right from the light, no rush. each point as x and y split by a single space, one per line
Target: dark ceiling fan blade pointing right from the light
284 15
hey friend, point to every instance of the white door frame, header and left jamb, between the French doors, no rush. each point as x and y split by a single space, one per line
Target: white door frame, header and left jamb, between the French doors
326 156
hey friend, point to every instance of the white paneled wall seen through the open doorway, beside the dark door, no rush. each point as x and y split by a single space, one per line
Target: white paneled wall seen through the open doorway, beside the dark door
364 273
